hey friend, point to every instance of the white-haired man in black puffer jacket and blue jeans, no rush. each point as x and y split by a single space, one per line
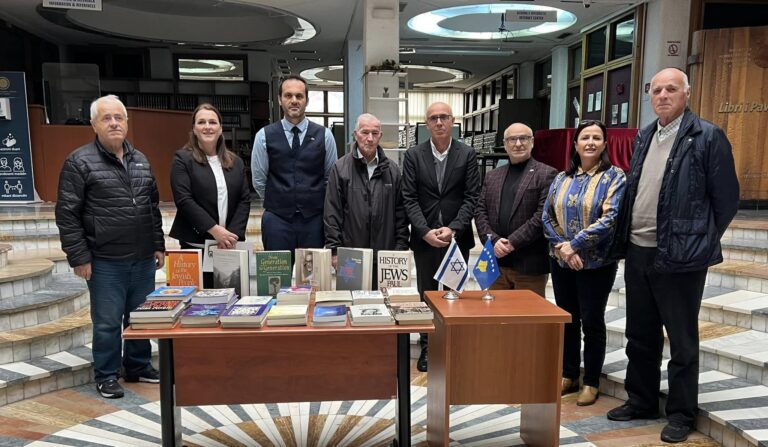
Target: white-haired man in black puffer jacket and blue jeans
111 230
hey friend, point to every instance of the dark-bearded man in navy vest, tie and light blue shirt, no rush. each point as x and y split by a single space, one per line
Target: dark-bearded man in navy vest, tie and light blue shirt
291 161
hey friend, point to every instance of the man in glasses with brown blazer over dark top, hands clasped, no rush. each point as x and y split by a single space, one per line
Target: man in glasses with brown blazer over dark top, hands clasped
509 211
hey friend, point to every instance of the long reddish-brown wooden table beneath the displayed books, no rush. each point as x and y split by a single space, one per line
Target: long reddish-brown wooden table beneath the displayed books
210 366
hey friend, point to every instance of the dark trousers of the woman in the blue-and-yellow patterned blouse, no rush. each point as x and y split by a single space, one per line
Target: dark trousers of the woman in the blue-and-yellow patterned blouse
583 294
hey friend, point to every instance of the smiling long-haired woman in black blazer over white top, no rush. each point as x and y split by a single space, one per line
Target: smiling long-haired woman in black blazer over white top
210 187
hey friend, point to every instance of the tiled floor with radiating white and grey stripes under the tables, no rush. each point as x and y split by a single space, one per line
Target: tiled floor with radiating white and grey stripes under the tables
79 417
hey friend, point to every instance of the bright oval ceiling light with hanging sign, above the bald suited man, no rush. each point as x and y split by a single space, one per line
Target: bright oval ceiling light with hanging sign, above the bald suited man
467 22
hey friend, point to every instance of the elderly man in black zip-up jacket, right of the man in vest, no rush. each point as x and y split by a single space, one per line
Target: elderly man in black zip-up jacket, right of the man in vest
363 201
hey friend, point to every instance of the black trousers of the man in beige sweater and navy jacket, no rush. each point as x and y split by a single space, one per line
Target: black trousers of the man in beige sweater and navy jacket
672 301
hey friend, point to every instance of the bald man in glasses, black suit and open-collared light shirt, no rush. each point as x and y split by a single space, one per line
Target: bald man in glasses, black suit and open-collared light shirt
441 184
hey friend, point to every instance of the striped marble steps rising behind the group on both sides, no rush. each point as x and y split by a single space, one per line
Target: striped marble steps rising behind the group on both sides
45 327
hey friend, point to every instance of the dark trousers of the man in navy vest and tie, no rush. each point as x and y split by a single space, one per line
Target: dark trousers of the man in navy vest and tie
298 232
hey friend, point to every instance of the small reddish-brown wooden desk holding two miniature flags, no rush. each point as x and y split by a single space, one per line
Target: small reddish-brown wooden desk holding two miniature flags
508 350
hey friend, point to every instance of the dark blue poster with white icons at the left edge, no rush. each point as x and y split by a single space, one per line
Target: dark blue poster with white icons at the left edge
16 180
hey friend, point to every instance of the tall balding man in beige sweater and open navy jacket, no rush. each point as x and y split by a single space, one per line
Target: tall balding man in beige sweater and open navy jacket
682 192
